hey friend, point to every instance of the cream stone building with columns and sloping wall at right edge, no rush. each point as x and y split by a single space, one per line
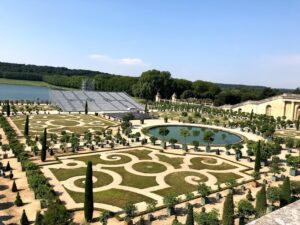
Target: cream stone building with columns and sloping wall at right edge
287 105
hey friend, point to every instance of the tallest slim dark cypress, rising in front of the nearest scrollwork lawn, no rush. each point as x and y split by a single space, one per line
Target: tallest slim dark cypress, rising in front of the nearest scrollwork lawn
88 196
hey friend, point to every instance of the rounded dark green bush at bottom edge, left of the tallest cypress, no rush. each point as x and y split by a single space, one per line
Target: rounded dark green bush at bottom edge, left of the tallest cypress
56 214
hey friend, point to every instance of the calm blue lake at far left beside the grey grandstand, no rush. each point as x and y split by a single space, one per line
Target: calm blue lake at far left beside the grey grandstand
23 92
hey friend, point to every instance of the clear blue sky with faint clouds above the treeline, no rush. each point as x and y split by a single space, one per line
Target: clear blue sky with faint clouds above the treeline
246 42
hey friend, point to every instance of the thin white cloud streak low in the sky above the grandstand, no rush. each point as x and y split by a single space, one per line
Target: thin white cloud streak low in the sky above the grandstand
123 61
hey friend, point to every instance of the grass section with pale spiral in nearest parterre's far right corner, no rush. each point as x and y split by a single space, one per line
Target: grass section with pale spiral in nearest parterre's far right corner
197 164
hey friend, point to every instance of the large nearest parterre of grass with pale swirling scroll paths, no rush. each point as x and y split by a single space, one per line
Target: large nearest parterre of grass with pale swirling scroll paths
139 175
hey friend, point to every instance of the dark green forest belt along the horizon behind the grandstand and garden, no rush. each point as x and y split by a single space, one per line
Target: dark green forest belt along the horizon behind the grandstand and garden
146 86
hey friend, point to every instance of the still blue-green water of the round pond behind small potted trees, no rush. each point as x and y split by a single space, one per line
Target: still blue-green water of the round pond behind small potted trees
220 138
